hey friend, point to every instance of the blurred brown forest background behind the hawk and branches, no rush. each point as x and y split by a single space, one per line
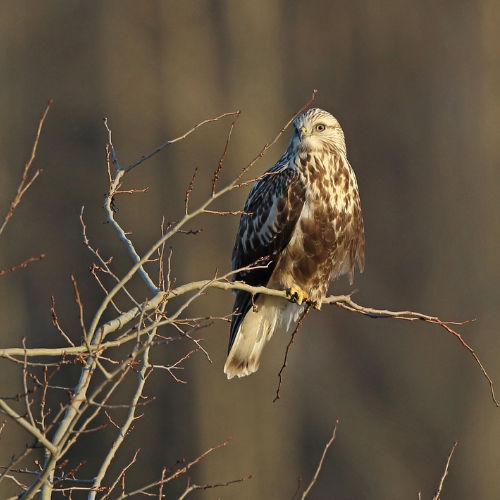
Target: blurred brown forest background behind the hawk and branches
415 86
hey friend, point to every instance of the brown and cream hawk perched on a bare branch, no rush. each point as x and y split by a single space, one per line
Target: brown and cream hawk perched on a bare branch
301 227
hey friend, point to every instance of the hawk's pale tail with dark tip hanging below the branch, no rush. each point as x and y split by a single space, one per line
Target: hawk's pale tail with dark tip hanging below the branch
251 330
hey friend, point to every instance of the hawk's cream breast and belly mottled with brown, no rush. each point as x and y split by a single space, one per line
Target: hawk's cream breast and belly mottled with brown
322 242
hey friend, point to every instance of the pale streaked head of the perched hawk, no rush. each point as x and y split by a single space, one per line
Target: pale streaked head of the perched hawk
317 130
